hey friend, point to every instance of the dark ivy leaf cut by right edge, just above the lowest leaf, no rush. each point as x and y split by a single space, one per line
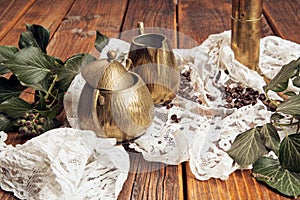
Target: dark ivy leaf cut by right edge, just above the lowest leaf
289 153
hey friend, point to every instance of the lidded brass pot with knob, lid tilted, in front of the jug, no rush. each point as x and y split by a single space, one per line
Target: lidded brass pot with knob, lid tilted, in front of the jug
114 102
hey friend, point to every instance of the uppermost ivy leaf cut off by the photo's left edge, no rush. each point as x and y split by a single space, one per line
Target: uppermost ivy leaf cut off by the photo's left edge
6 53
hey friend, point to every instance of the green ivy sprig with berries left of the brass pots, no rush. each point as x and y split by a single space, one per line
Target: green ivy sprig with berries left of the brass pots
29 66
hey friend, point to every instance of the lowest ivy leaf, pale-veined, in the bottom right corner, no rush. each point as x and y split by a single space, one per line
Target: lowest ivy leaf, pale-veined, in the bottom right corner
269 171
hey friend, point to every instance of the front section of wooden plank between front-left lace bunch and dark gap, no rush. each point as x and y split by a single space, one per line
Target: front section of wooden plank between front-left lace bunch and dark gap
148 180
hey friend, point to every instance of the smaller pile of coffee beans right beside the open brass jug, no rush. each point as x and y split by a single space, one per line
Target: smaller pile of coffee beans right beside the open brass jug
186 87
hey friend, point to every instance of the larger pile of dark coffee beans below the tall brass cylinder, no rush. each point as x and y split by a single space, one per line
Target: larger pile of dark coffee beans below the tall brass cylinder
237 97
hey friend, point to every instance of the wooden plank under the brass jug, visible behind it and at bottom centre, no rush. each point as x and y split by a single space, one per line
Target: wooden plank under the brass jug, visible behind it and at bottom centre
157 181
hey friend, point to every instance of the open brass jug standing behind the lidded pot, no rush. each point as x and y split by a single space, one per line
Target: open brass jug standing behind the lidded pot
153 59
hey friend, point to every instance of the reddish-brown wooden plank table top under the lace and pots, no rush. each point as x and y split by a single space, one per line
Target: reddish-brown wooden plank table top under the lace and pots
72 24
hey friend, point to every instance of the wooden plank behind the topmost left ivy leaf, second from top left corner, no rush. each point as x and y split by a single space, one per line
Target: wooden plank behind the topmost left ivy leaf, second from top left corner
42 12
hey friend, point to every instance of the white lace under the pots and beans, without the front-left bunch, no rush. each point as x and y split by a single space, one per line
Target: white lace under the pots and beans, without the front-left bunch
205 131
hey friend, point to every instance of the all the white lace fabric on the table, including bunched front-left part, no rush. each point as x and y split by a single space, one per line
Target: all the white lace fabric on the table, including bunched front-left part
65 163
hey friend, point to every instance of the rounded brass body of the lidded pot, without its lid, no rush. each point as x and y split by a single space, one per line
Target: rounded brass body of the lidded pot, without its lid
122 114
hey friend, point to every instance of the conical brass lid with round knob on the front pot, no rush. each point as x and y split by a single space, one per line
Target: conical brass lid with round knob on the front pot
107 74
